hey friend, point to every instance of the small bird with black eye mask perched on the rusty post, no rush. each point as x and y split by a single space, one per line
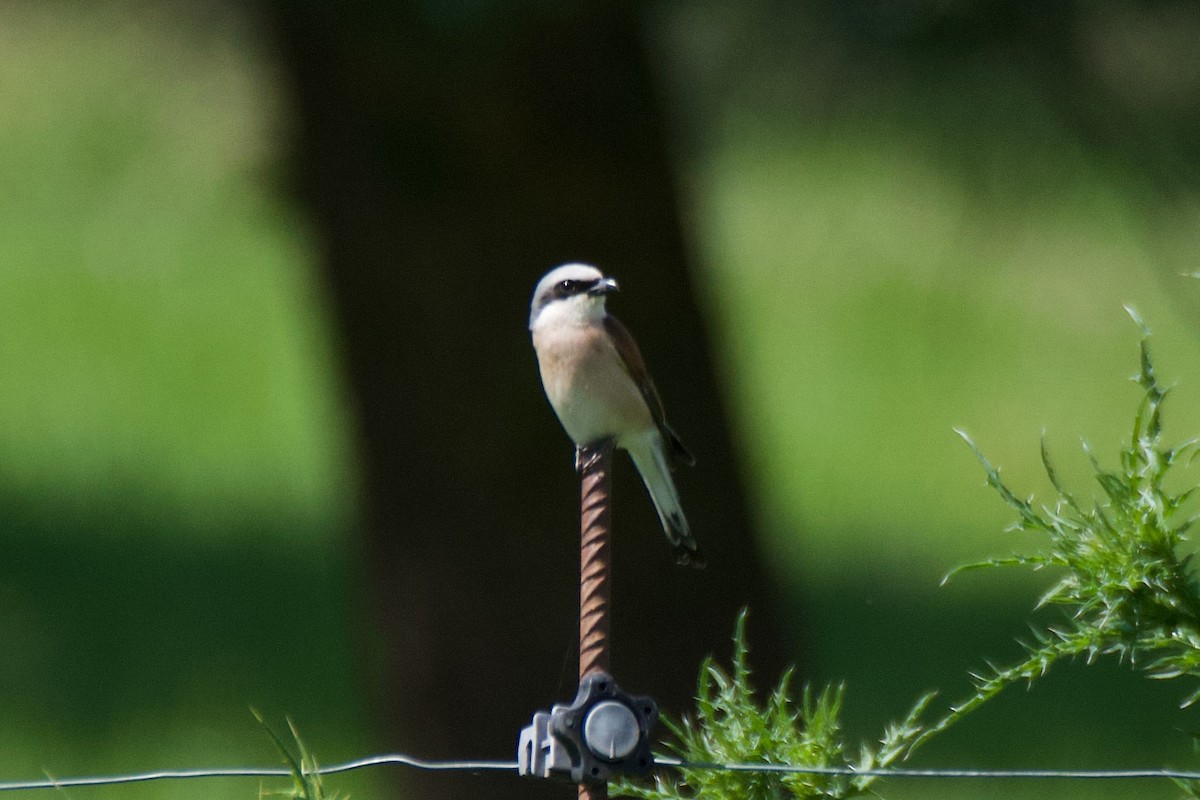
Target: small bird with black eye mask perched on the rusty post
598 386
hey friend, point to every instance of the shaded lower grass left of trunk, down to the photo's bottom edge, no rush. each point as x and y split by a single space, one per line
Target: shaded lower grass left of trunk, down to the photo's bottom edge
135 659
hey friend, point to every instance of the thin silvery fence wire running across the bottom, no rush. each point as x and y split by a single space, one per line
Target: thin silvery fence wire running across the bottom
665 763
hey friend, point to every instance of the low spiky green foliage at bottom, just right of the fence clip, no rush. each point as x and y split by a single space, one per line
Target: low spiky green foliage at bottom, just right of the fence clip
733 727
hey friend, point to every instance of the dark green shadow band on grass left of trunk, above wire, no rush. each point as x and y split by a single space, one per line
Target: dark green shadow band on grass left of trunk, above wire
112 623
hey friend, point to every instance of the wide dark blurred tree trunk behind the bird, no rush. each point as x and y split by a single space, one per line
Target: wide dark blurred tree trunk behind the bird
451 154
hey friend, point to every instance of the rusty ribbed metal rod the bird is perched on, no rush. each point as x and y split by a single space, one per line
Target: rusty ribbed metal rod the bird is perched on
596 569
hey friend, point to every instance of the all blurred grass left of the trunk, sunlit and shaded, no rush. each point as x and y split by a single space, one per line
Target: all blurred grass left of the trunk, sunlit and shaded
175 474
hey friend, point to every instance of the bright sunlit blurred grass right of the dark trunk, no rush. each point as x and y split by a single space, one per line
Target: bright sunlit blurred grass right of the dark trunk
871 306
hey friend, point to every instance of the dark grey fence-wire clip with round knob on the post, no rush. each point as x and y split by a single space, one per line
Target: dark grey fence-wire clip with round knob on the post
605 732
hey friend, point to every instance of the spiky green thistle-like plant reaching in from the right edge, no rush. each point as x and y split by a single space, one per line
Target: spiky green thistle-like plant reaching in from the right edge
1129 587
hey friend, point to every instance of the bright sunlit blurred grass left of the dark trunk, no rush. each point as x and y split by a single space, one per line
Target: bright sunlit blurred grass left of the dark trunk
159 320
